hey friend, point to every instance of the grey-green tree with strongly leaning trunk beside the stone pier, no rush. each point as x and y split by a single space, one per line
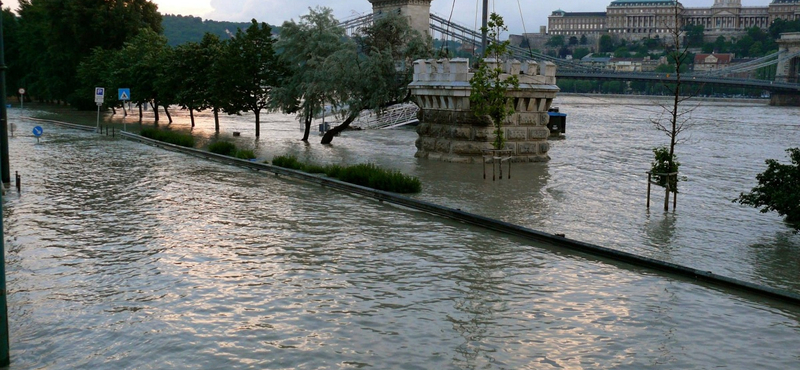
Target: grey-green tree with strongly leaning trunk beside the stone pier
374 71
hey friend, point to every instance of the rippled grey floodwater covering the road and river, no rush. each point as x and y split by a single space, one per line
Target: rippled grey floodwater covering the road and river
125 256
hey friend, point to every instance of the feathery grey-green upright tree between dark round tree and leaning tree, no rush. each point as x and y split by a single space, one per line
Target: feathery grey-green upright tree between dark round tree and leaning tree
305 46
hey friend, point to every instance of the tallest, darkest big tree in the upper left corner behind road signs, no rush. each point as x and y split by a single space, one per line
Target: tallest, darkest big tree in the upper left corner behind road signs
58 34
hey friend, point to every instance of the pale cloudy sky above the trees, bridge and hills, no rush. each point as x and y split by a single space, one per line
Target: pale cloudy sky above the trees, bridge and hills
534 13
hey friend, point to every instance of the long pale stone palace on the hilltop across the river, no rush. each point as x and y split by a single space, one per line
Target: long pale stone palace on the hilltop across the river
637 19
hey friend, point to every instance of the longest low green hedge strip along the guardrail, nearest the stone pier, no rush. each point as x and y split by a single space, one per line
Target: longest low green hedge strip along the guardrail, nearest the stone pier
368 175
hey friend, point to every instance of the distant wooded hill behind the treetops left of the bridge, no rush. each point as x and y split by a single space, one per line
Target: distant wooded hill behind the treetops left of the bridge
180 29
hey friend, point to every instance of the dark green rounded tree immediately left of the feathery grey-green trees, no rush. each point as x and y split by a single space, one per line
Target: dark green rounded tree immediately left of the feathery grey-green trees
253 71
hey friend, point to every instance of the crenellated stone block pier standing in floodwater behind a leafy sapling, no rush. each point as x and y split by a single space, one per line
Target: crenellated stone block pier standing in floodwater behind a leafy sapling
450 131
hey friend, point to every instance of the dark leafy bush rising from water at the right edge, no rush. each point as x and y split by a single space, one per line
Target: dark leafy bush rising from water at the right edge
778 189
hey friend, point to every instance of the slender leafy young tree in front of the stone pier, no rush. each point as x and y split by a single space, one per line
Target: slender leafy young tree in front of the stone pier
489 84
